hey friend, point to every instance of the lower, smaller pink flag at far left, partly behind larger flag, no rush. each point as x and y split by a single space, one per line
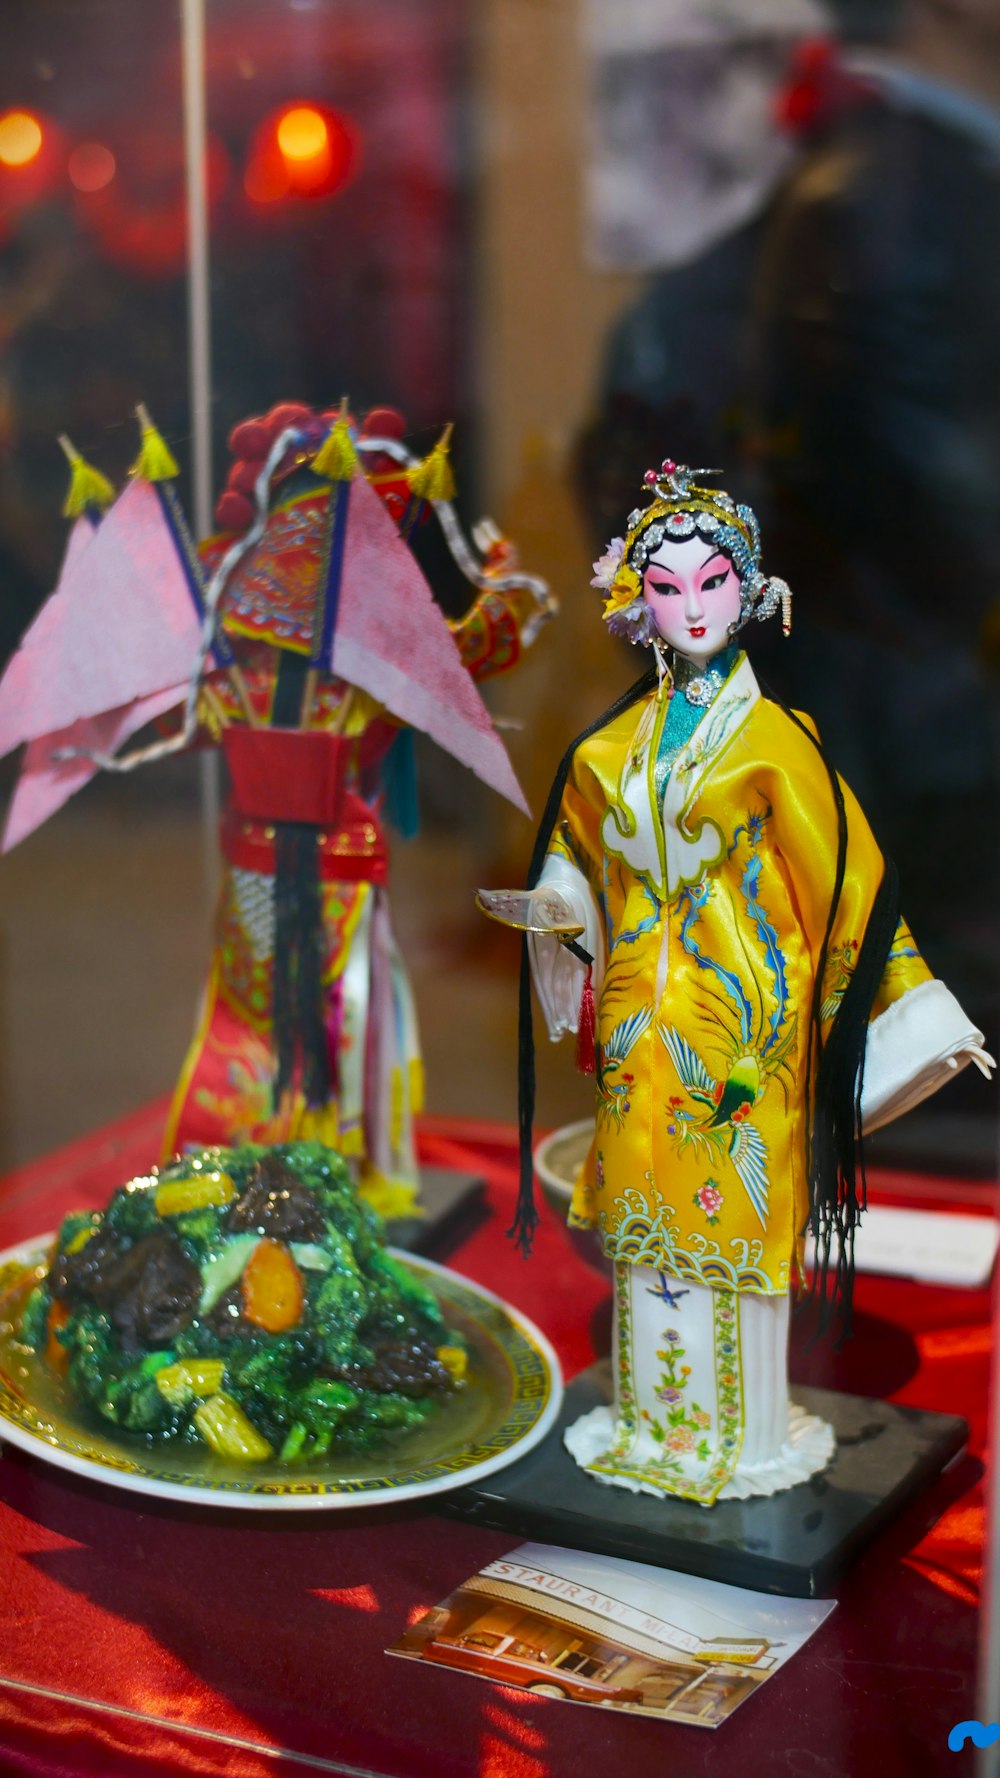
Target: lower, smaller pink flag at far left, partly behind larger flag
47 783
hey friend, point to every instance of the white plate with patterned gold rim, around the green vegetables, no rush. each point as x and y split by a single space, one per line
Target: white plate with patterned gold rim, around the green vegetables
506 1407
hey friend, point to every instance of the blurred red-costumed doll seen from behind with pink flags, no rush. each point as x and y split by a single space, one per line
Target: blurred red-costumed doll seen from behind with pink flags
307 643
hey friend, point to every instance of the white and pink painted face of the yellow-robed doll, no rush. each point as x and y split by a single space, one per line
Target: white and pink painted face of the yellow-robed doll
695 597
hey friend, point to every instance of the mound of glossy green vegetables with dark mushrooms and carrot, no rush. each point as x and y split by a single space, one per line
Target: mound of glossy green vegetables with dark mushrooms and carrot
245 1299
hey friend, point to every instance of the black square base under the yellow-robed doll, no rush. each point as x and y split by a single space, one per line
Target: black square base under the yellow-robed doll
793 1542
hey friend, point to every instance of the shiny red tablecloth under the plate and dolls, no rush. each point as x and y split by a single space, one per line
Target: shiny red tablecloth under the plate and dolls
147 1638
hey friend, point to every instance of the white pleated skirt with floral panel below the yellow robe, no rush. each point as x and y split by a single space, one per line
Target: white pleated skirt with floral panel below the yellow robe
702 1397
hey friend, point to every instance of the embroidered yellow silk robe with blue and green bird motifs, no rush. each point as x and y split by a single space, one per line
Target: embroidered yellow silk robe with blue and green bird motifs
714 906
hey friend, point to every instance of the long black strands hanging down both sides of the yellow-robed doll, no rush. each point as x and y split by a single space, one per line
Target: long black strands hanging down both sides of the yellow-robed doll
835 1069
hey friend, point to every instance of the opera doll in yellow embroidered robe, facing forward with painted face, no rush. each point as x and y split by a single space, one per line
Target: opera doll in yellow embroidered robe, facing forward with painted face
707 881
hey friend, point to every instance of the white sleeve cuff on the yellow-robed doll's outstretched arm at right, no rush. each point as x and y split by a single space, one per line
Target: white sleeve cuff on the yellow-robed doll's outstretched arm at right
908 1052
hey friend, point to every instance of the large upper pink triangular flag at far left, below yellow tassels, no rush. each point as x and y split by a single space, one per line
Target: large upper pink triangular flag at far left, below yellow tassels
120 627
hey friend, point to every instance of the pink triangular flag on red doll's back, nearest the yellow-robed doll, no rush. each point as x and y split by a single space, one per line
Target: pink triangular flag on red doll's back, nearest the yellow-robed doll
392 639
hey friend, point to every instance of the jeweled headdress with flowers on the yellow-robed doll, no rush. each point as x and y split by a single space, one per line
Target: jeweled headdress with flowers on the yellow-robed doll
682 508
